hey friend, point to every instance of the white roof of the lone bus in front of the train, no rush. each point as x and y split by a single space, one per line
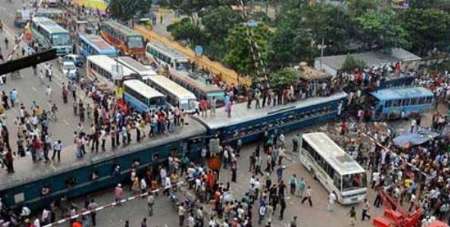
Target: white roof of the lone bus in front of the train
332 153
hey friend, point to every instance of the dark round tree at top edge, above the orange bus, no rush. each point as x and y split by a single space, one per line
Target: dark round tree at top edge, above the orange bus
127 9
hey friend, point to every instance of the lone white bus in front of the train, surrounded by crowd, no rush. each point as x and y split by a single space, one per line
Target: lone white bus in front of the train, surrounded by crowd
334 168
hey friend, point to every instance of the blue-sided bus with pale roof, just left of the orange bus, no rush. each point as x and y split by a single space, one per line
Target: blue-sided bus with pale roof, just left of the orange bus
95 45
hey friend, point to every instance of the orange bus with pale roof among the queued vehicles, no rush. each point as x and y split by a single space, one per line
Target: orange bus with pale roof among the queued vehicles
123 38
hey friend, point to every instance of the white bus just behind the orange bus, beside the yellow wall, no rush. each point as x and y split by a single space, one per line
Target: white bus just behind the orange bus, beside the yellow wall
165 56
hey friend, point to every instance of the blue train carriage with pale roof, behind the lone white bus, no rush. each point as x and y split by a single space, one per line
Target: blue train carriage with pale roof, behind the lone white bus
250 124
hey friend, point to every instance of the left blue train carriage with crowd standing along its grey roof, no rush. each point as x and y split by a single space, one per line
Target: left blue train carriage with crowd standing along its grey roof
39 188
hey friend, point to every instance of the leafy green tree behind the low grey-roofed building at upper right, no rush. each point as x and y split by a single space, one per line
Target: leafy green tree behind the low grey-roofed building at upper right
380 29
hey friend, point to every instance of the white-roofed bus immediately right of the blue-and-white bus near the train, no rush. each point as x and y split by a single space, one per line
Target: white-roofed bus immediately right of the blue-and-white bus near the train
176 94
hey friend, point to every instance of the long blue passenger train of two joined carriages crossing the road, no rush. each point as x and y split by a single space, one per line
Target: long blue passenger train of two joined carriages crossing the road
105 170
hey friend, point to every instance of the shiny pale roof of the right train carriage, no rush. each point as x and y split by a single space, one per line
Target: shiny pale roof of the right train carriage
222 120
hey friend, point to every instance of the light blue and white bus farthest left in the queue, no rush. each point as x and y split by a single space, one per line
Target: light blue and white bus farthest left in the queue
49 34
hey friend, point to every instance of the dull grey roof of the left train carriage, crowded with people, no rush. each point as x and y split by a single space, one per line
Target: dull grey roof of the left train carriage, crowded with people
27 172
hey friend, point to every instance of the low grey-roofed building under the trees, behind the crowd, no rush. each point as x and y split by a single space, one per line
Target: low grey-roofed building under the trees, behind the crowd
332 64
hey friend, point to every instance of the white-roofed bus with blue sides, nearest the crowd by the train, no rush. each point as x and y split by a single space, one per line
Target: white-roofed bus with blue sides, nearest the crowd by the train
142 97
